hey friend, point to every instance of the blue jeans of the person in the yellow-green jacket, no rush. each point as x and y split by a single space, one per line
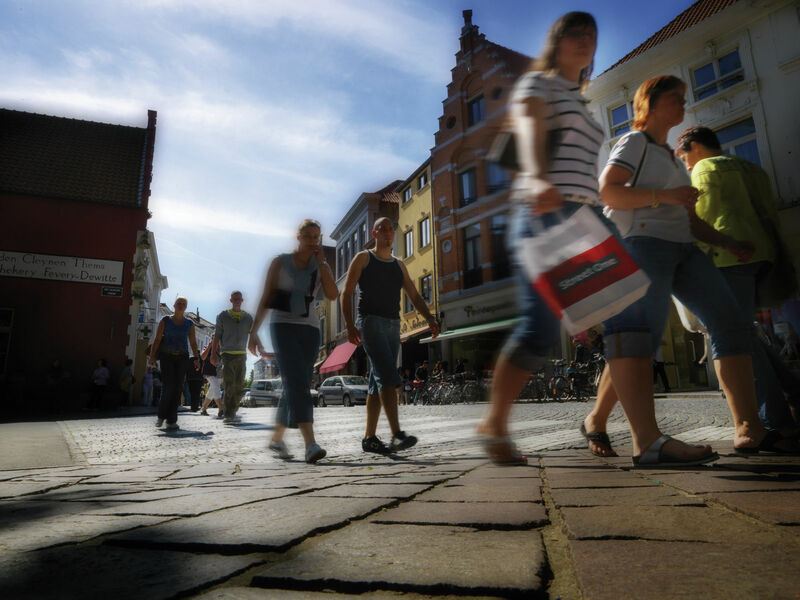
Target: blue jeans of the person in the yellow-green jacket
776 385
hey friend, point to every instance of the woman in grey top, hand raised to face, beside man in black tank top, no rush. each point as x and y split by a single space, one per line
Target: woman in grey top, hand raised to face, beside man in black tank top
293 281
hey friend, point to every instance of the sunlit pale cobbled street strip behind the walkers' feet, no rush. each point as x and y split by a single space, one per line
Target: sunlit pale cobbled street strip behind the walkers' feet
443 431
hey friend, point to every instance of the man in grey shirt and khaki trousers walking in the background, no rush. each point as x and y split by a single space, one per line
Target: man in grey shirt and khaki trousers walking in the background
230 340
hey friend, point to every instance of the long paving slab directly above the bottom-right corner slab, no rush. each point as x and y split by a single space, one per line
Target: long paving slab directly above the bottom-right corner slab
671 523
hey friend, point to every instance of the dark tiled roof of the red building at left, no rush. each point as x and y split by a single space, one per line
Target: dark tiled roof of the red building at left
71 159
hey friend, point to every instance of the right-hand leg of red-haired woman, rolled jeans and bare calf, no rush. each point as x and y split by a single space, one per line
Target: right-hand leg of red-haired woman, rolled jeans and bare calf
700 286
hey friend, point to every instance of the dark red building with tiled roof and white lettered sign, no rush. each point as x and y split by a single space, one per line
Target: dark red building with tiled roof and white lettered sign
74 200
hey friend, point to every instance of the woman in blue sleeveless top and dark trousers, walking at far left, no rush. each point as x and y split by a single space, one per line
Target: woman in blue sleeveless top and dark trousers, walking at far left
170 347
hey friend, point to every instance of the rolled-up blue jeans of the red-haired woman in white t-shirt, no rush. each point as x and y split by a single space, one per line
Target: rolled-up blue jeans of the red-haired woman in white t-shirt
682 270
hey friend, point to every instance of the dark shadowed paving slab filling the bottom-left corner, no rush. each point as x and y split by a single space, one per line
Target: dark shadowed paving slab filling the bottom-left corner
103 572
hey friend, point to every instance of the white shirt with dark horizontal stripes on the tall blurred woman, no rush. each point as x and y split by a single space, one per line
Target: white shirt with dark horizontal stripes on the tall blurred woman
574 137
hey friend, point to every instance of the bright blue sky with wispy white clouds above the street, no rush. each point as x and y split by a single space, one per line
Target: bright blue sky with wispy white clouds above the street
268 111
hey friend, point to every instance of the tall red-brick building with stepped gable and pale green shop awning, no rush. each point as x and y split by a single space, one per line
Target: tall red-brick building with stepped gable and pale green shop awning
470 202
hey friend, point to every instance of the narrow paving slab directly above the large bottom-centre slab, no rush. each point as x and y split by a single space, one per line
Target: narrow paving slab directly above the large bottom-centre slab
481 515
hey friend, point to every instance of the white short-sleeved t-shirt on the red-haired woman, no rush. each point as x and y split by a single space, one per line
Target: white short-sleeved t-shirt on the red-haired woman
652 166
